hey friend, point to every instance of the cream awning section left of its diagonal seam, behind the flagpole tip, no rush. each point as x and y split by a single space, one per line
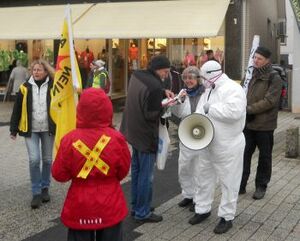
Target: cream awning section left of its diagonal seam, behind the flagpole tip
39 22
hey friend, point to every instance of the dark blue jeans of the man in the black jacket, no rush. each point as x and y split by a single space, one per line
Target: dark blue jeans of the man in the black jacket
142 165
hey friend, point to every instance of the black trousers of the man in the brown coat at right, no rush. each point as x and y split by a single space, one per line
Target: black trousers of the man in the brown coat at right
264 141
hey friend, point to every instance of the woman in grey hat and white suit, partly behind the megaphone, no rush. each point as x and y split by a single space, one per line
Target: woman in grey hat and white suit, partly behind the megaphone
187 157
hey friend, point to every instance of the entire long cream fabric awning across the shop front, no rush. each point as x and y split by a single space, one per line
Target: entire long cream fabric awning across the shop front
163 19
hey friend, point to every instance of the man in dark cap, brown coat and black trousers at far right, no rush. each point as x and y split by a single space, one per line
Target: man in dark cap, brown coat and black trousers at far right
263 96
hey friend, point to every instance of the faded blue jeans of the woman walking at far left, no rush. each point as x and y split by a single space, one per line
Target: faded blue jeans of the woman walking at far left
39 178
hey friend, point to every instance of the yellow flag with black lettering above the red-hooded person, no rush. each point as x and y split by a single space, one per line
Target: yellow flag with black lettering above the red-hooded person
66 81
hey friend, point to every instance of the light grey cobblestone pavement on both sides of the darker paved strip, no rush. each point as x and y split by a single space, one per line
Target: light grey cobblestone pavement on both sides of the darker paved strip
274 218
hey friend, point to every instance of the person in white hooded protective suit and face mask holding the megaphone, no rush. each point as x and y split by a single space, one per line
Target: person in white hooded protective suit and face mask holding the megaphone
224 103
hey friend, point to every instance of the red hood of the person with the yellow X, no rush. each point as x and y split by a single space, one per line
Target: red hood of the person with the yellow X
94 109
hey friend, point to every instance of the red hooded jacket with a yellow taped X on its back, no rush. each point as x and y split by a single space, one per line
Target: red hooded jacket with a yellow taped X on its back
96 201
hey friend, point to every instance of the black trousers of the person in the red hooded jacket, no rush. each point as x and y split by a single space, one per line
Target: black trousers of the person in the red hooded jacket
113 233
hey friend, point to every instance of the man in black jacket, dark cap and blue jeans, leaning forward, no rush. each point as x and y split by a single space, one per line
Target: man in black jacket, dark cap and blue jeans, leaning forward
140 126
